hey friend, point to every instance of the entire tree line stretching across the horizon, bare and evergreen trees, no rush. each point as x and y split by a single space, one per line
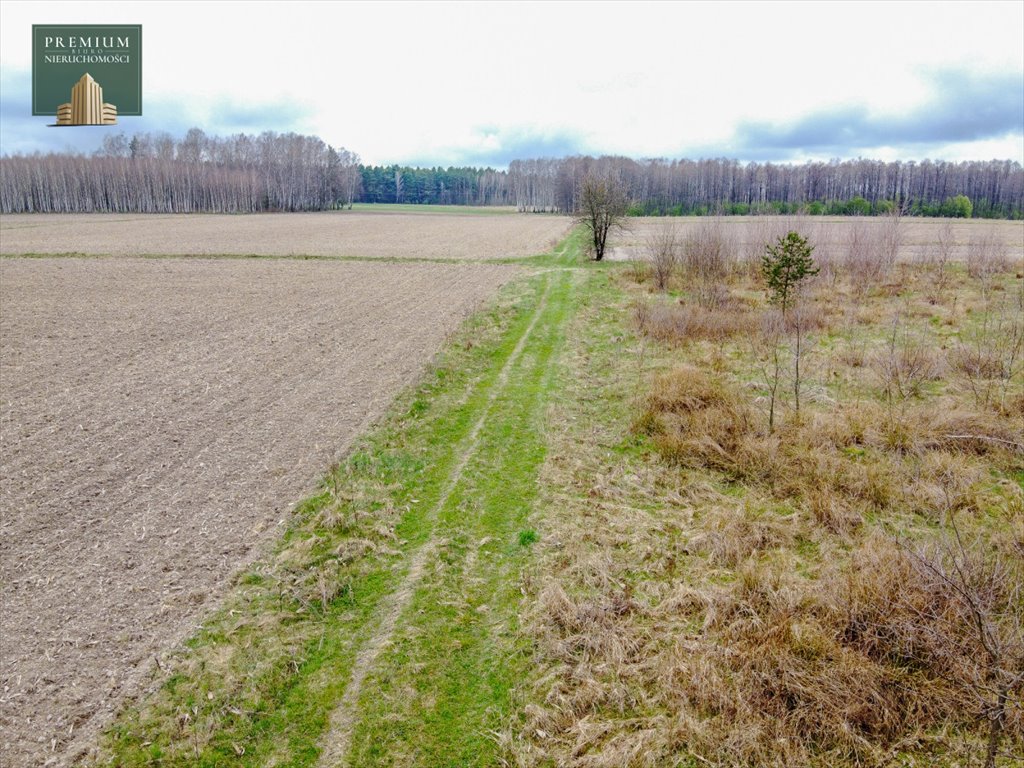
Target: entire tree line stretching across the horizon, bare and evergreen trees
156 174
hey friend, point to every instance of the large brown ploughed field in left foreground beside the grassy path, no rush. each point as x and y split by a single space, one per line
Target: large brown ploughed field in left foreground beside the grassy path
158 420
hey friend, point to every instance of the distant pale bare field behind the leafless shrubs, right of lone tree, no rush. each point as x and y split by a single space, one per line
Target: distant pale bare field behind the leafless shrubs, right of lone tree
830 234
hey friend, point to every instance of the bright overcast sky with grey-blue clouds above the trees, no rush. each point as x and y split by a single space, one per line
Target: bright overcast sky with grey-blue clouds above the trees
485 83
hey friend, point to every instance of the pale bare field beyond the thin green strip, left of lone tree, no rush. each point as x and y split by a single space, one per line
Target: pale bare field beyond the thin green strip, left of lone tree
389 232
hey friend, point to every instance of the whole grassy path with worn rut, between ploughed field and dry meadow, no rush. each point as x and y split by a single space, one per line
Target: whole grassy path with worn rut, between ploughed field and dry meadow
383 629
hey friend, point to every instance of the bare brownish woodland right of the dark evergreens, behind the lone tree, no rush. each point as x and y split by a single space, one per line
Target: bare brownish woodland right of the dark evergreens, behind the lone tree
994 189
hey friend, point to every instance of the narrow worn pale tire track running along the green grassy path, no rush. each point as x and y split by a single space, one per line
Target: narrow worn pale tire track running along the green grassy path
339 735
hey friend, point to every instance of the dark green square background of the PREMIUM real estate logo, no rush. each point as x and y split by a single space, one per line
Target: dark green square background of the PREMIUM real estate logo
52 82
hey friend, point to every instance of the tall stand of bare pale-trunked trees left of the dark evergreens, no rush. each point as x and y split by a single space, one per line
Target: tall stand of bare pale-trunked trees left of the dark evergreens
155 174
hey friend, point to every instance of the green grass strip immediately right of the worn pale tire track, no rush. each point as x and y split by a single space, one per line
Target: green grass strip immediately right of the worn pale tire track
444 689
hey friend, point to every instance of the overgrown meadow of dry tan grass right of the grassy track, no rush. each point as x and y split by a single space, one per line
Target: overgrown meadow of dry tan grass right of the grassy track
847 589
